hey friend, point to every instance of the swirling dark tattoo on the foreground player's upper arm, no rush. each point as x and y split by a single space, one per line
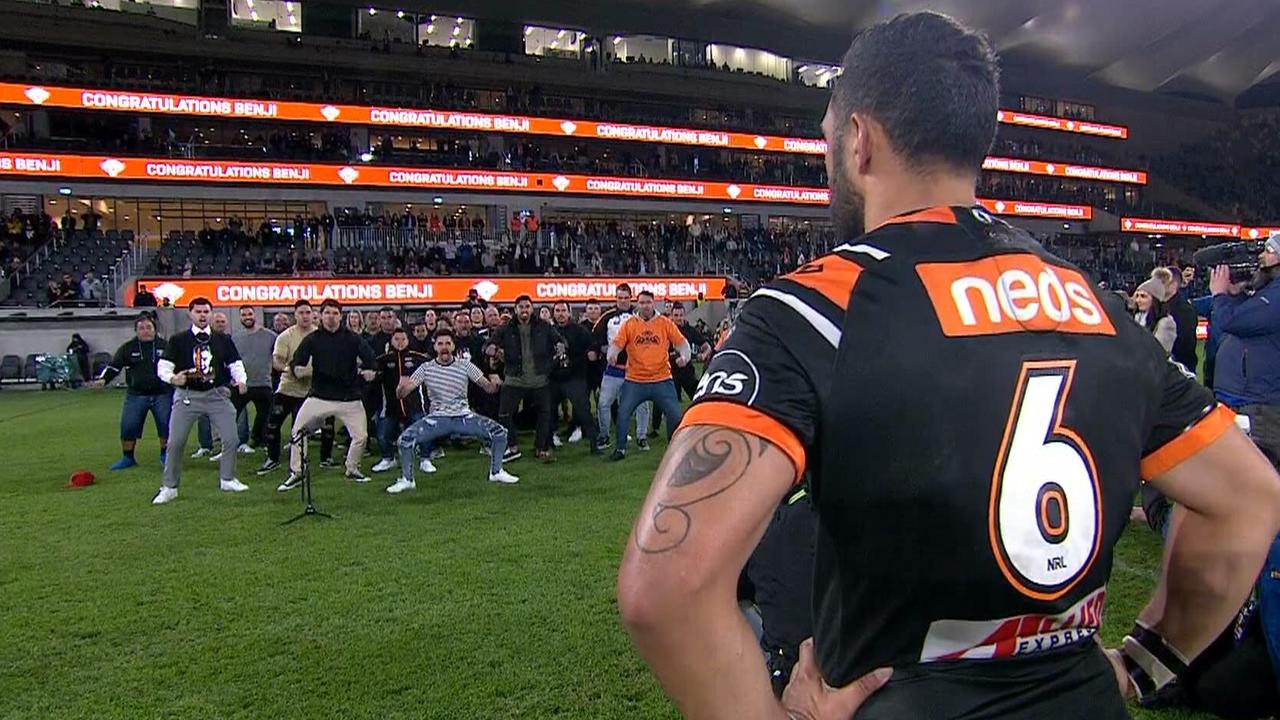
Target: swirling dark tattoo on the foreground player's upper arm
702 464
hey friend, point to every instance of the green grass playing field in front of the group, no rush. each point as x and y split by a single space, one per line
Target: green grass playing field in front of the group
459 601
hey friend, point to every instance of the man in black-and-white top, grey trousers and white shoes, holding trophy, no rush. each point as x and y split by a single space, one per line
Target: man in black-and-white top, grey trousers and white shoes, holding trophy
202 366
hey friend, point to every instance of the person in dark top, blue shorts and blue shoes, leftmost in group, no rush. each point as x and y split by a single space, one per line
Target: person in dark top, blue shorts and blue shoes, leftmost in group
138 359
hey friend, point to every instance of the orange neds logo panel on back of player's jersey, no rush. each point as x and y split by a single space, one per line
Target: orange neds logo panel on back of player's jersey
1009 294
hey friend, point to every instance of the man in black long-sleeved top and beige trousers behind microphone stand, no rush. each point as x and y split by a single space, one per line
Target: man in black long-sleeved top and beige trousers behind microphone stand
331 357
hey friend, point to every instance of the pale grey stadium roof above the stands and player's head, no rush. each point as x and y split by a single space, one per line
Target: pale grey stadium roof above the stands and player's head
1210 48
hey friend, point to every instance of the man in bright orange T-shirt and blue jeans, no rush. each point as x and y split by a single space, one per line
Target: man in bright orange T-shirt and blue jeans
648 339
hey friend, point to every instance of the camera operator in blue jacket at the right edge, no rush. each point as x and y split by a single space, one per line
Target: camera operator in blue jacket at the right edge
1247 368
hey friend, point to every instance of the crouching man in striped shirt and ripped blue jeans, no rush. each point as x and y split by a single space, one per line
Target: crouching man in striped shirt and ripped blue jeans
446 380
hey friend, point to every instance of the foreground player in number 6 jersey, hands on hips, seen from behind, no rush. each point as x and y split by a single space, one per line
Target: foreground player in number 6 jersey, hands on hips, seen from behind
976 420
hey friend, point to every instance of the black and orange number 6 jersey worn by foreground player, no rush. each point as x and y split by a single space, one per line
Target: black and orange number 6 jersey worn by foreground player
976 420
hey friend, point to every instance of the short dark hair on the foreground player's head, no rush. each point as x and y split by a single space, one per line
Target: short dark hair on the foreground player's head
931 83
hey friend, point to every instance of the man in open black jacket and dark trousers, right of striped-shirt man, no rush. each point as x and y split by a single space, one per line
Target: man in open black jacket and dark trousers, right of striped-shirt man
529 348
